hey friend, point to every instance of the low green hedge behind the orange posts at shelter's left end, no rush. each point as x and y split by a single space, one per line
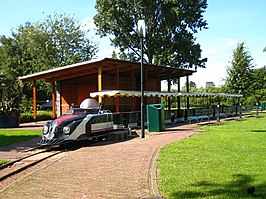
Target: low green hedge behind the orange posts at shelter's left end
41 116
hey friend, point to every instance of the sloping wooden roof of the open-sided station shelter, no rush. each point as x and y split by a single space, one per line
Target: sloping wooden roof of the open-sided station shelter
108 64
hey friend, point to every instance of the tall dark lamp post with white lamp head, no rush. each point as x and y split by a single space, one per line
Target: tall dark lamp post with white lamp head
142 33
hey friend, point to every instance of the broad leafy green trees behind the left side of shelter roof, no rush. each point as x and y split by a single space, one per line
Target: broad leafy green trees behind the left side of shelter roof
34 47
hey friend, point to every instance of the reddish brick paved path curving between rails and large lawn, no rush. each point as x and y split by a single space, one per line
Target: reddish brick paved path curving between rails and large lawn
109 170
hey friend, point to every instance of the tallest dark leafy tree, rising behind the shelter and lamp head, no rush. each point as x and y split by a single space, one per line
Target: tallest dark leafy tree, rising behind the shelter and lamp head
171 25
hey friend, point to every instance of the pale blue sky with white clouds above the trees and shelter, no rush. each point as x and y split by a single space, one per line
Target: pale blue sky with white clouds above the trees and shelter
229 23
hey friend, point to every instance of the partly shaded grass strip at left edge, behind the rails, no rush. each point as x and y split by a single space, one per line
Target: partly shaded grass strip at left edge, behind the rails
8 137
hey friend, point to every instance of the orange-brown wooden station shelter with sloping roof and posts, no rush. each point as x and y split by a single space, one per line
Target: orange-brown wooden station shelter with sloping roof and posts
73 83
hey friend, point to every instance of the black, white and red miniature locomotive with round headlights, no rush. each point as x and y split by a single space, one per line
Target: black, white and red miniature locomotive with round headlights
88 121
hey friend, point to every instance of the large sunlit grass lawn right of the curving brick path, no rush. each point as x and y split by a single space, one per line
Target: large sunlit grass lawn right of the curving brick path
219 163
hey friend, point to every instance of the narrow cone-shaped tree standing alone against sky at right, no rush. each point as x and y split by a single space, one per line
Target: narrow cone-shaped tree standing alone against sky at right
239 72
